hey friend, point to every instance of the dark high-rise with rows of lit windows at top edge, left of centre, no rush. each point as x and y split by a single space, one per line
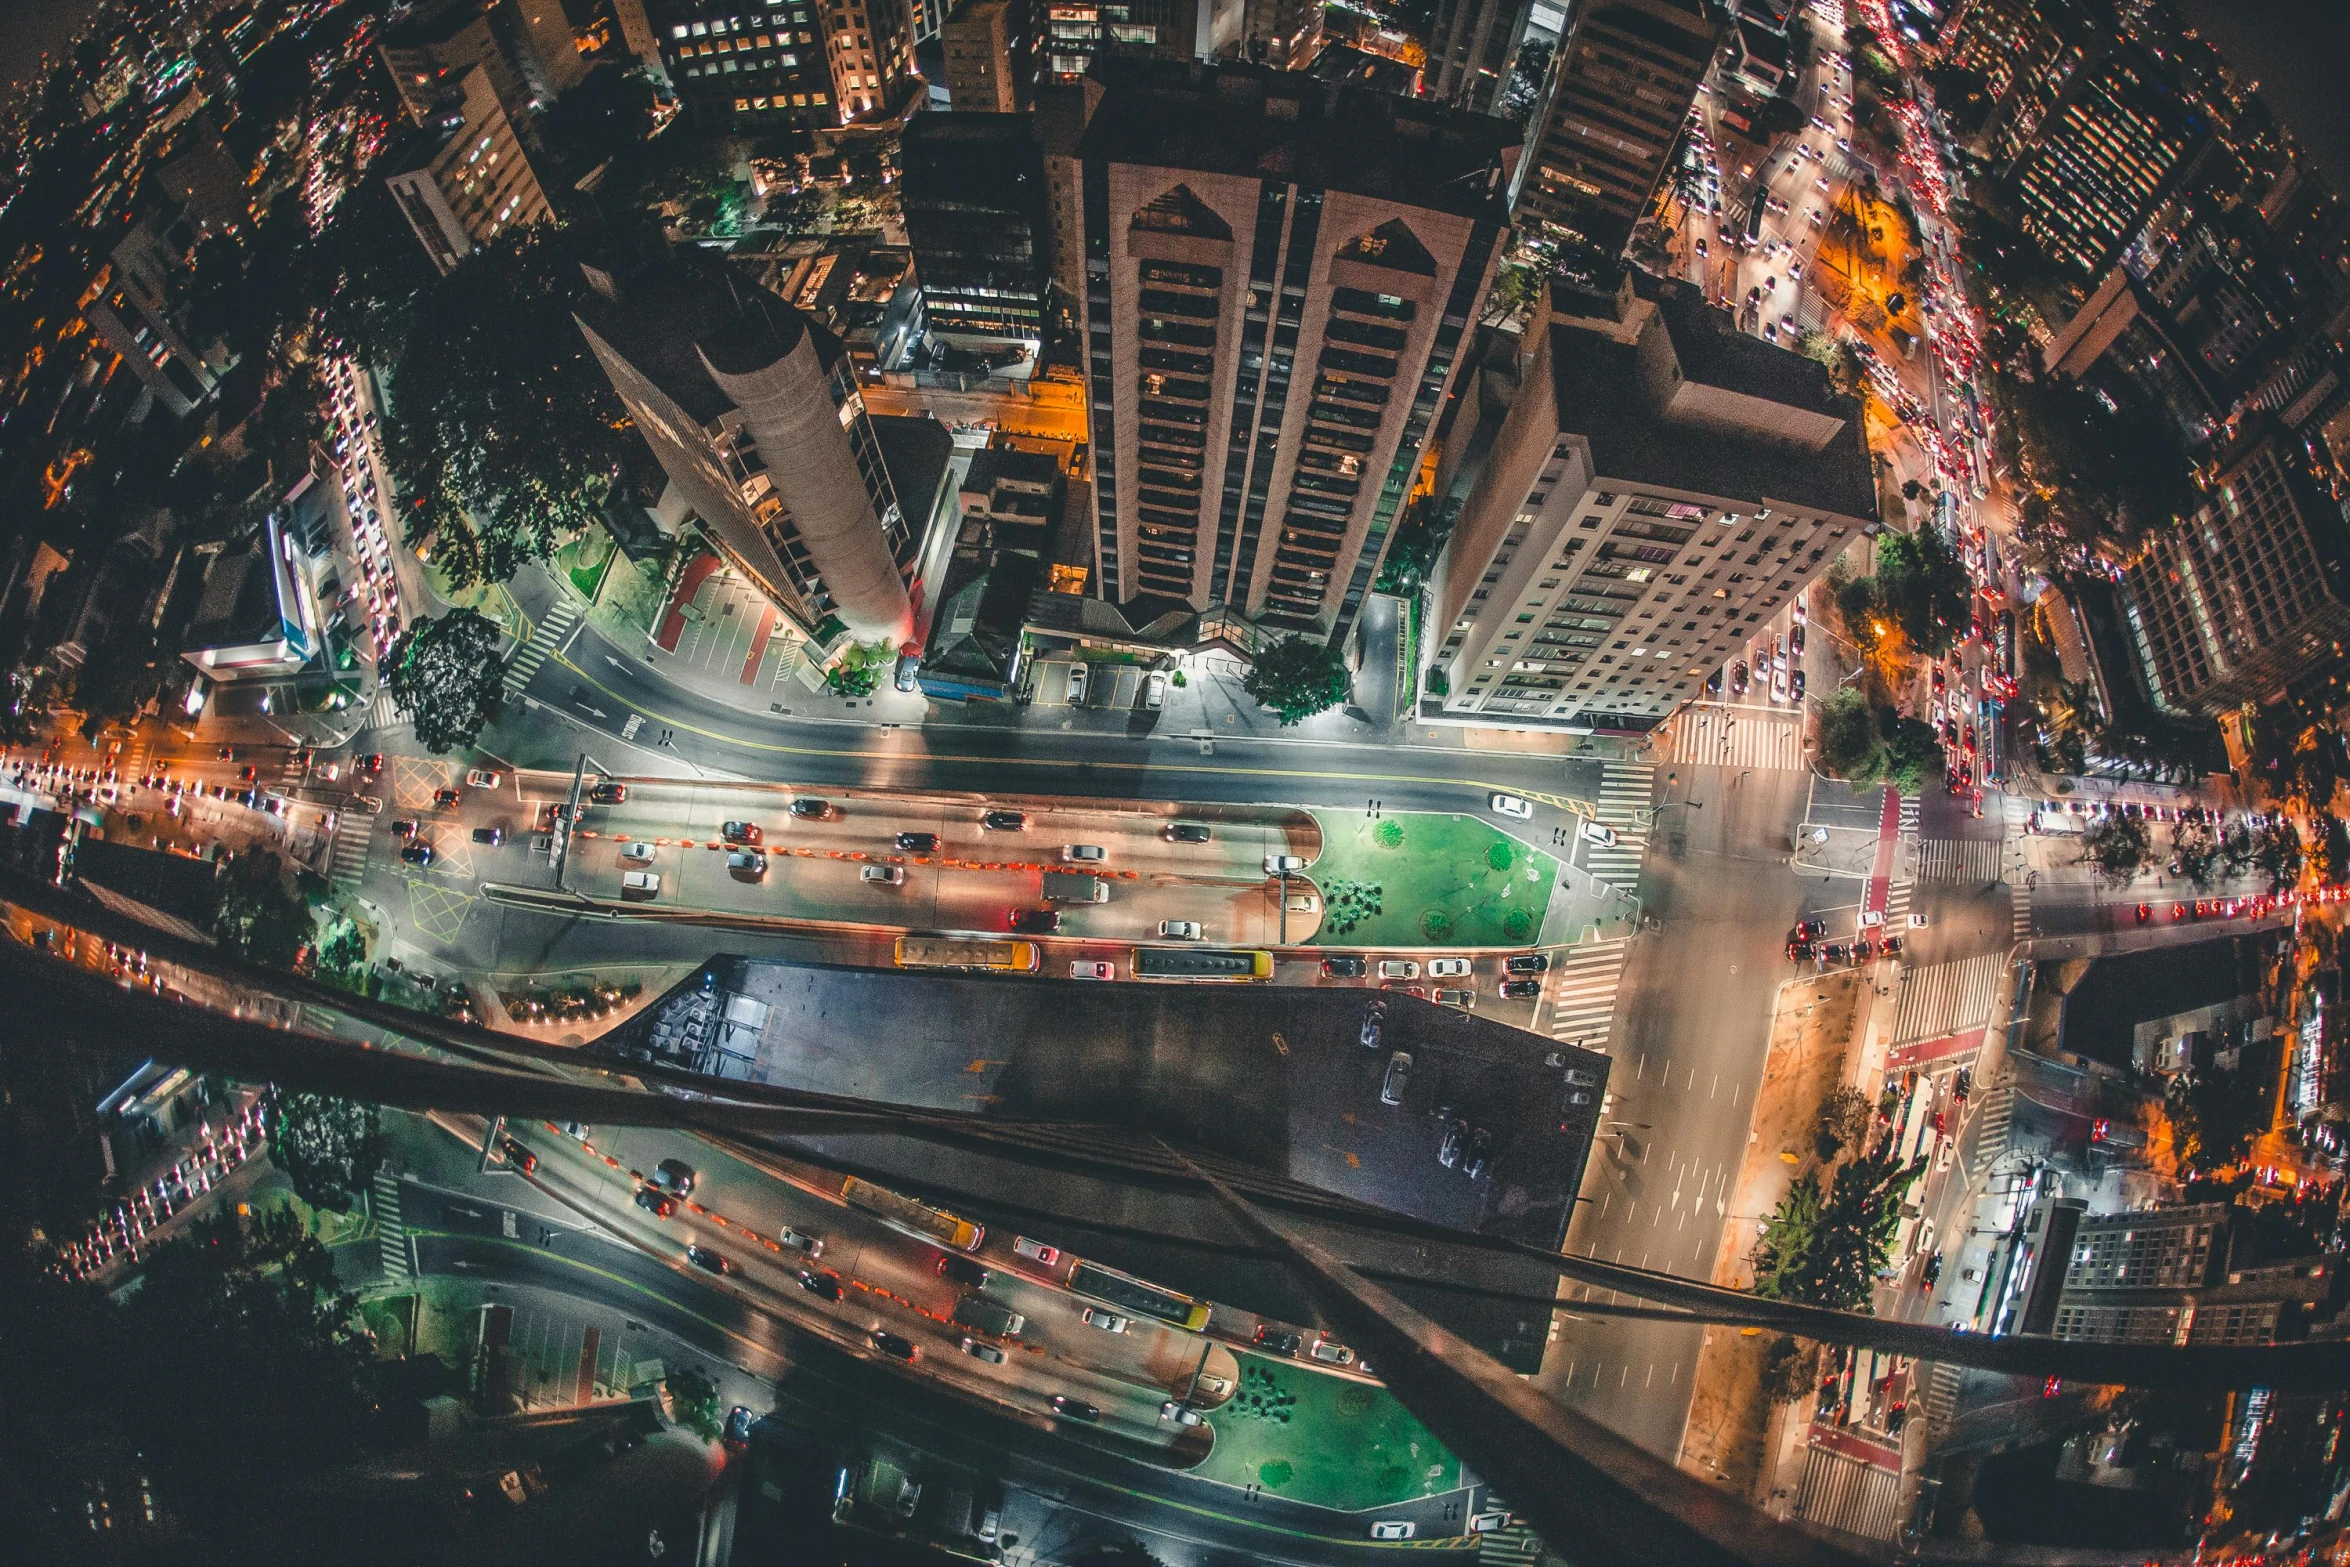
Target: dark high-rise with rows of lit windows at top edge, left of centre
741 65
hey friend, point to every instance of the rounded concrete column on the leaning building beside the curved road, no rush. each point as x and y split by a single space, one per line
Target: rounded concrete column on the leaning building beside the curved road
805 443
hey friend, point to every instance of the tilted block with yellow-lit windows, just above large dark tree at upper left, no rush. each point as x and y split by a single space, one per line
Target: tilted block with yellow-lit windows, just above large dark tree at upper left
466 180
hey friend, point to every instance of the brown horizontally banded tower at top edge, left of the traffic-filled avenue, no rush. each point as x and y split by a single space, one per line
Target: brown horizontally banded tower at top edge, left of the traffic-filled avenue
1620 97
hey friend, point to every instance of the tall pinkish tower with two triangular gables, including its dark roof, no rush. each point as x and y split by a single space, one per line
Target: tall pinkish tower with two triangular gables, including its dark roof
1277 278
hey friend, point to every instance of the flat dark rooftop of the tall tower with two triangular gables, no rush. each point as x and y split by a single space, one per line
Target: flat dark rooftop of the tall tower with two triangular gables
1258 123
